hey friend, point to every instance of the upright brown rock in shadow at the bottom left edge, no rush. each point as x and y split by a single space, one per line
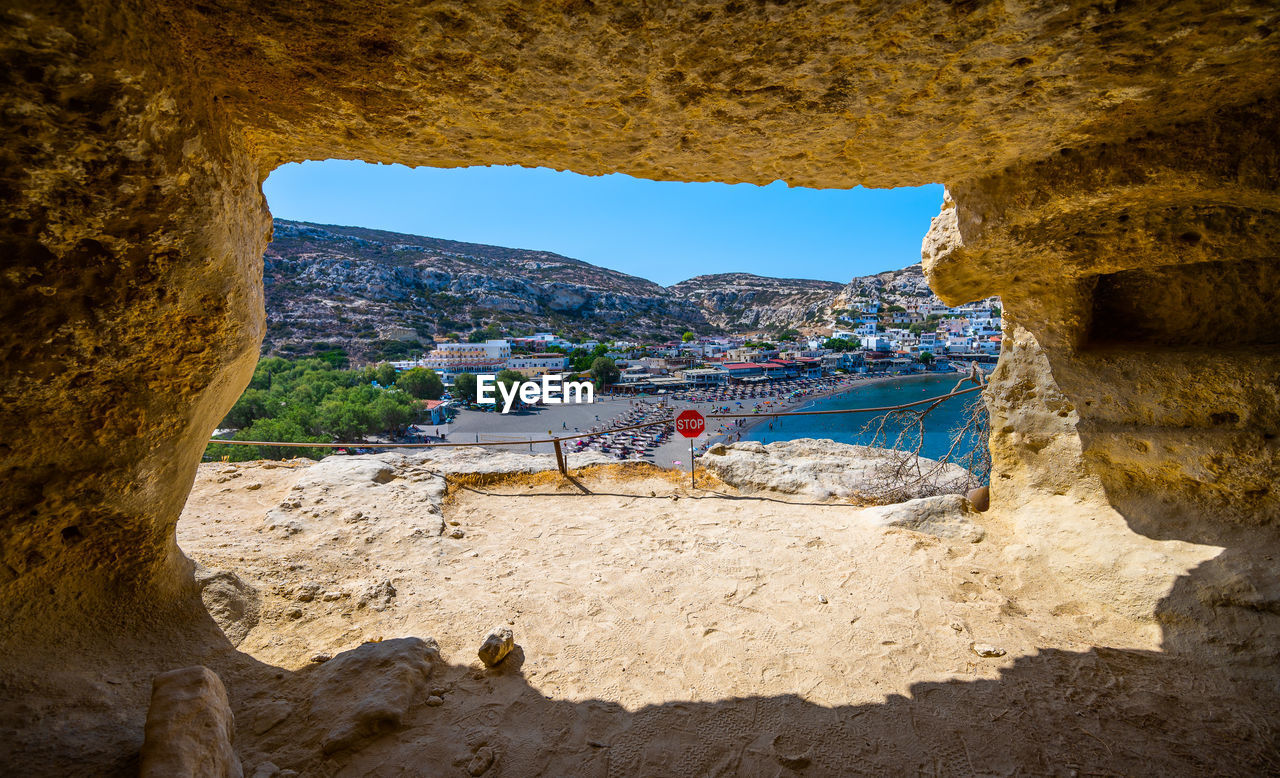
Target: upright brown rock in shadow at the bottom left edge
190 727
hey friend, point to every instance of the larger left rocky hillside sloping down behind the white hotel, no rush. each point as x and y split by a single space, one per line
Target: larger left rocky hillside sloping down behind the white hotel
350 286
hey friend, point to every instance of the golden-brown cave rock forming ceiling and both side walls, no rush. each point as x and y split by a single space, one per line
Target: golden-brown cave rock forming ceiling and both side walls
1081 140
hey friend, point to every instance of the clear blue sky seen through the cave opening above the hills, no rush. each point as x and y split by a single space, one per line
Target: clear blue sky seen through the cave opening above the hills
661 231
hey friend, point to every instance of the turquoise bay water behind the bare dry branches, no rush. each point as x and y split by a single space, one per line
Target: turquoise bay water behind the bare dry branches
848 428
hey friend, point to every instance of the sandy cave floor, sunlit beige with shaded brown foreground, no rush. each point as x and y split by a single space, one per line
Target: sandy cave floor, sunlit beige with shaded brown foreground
664 631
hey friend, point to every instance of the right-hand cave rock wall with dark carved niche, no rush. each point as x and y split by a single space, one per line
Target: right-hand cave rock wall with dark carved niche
1145 273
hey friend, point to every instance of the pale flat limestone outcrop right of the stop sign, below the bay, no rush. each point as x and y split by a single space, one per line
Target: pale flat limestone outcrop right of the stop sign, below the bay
824 470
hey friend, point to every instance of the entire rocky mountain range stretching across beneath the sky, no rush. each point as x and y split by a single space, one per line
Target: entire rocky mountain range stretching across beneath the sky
372 291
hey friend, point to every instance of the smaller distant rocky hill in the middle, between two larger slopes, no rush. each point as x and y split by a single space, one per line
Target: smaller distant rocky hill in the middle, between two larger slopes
740 301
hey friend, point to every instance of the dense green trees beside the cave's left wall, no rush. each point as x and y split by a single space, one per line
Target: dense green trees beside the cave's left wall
310 401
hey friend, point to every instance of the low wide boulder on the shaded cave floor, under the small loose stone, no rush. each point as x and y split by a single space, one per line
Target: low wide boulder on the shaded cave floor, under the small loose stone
367 692
